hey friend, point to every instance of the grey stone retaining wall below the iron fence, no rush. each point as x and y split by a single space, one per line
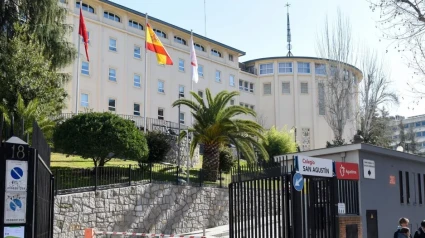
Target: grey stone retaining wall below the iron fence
151 208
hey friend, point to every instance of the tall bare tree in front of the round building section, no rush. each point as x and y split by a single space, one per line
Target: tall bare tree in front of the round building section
334 44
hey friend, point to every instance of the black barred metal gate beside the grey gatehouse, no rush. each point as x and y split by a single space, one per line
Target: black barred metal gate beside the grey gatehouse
263 203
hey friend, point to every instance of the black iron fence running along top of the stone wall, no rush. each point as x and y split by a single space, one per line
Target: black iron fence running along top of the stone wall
72 180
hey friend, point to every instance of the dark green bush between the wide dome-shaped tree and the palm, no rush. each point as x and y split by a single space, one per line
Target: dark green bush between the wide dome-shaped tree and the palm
159 145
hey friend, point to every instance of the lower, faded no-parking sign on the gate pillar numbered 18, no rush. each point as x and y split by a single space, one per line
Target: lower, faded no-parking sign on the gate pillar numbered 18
15 207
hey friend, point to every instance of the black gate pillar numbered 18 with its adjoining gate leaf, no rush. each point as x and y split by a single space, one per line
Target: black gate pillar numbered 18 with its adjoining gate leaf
27 190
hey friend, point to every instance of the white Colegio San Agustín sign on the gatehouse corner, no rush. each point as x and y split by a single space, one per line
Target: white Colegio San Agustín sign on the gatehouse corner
315 166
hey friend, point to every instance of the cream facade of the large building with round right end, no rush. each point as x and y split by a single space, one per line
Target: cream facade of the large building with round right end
284 91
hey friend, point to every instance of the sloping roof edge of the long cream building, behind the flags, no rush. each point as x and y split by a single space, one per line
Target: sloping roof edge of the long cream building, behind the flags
172 26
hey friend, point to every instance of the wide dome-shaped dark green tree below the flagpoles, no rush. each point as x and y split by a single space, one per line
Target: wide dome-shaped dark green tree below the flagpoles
100 137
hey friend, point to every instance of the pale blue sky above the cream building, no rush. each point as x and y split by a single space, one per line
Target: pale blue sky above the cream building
258 27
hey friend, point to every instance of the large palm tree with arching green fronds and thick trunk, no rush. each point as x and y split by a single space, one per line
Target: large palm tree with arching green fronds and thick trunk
215 126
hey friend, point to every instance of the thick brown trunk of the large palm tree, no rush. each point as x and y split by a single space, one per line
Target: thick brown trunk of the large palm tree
211 162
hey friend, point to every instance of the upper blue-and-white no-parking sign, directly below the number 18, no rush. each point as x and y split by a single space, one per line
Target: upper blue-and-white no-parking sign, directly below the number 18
16 175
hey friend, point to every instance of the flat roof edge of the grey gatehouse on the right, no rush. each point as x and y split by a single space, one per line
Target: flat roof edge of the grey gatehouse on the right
353 147
